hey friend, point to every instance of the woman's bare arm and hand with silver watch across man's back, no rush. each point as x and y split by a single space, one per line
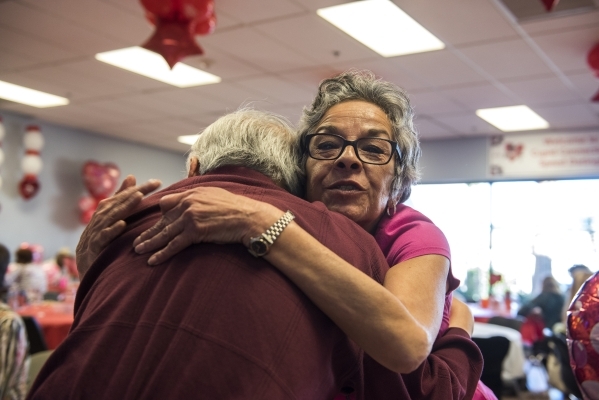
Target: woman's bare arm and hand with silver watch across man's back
396 323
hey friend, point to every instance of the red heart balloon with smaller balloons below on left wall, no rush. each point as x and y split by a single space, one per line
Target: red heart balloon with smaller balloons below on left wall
100 181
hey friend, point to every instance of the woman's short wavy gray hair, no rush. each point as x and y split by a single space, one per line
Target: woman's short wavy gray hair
394 101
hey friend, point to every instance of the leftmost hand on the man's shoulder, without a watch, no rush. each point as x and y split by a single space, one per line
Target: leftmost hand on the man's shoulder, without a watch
107 222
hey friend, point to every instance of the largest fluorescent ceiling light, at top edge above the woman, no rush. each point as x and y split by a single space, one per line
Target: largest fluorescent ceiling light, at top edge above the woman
382 26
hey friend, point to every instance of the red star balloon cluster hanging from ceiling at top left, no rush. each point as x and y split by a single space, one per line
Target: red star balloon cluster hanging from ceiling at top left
177 22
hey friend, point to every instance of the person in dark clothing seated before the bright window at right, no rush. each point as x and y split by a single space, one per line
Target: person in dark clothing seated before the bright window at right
548 304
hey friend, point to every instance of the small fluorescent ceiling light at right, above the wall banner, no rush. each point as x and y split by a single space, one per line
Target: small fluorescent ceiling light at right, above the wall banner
514 118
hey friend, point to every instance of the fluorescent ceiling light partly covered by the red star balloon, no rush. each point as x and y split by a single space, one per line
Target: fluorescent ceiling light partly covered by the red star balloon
147 63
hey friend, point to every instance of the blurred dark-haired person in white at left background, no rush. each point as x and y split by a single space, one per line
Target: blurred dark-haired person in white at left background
27 278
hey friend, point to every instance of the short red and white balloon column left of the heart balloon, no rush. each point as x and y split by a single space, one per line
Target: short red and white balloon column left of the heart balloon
31 164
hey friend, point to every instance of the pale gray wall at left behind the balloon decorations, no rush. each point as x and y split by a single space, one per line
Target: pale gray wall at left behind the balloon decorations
51 218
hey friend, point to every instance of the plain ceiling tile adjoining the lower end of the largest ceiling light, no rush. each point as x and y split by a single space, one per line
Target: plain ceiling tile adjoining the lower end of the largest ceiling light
438 68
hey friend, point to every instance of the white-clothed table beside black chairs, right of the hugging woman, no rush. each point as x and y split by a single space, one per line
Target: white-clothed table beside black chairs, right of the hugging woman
513 363
